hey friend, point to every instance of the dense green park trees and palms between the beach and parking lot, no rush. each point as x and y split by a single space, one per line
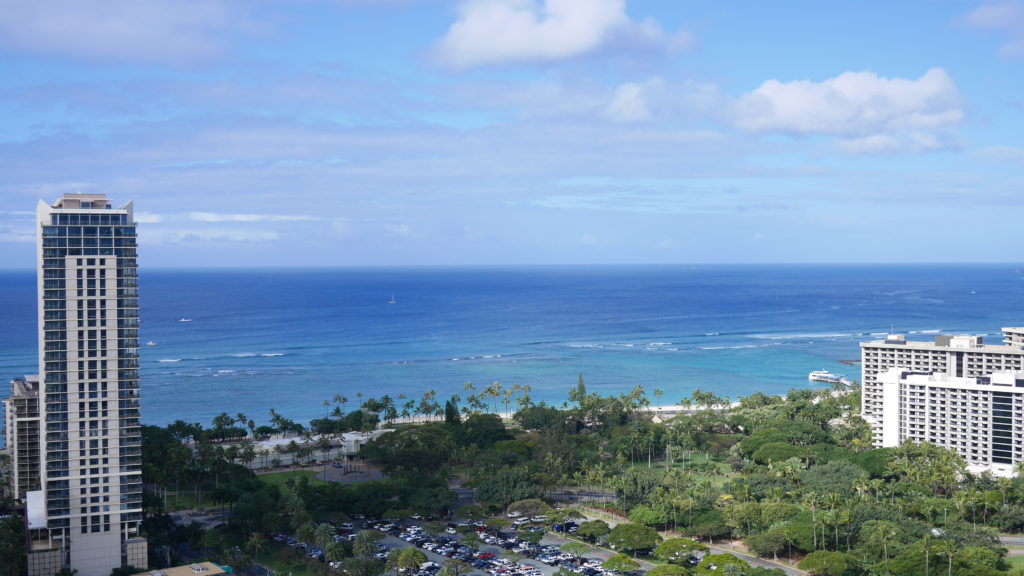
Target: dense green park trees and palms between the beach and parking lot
792 479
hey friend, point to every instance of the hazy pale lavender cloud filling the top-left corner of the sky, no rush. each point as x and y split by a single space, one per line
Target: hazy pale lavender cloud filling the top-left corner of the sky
147 31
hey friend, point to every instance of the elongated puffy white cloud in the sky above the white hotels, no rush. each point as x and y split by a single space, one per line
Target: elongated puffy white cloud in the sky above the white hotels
869 112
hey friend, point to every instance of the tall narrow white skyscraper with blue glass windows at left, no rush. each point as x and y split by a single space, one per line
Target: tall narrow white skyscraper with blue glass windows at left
88 513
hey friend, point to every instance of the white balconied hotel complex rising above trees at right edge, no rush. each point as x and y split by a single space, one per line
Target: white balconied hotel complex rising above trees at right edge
955 392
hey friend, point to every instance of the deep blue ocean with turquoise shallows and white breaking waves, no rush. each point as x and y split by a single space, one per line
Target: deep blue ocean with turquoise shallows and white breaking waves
292 339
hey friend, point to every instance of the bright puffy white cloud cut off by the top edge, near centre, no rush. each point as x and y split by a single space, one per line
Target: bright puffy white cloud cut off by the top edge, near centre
494 32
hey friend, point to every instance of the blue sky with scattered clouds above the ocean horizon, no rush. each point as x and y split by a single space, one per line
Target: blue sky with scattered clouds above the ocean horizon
424 133
